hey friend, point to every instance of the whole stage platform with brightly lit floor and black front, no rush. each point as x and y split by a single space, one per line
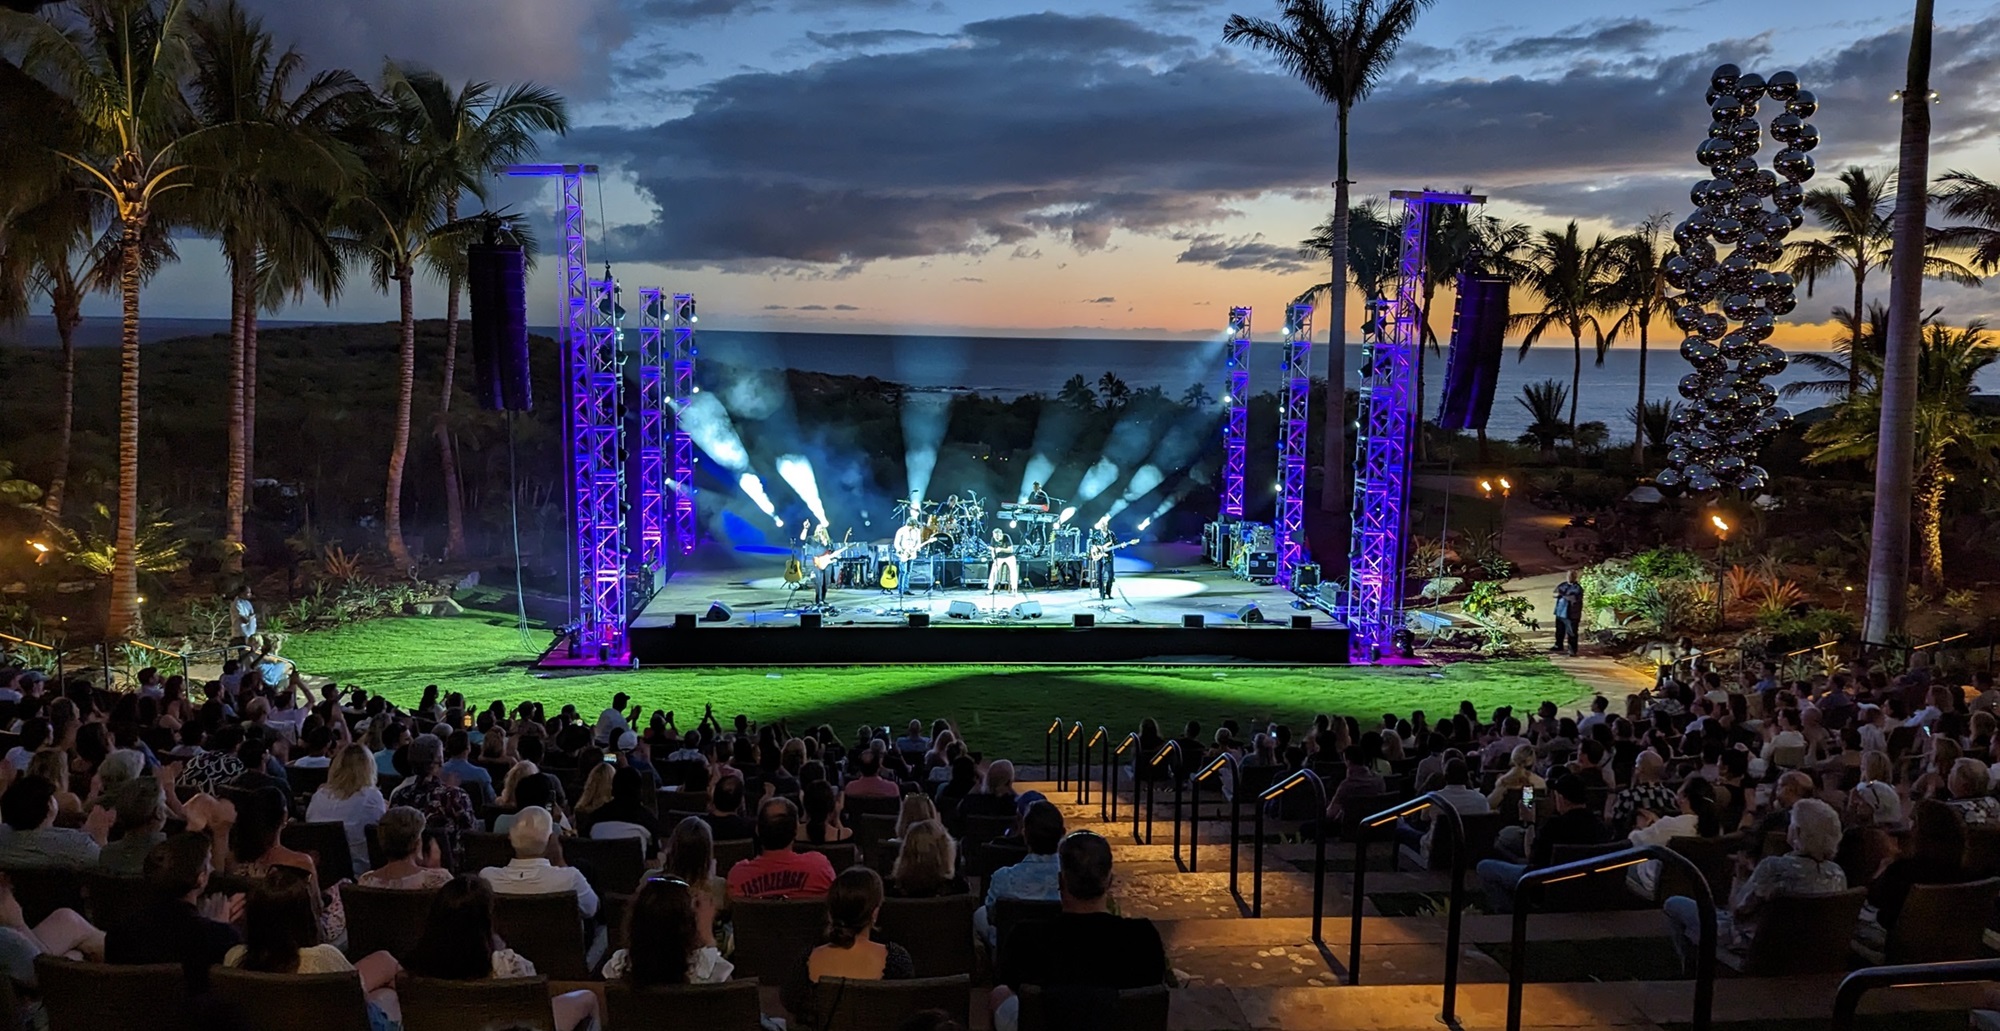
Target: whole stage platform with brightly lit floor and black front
1157 588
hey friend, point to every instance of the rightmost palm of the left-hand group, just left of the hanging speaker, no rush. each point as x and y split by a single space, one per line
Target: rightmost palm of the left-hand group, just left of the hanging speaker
473 135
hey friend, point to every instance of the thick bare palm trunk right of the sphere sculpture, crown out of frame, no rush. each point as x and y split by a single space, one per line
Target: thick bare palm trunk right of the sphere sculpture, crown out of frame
1889 556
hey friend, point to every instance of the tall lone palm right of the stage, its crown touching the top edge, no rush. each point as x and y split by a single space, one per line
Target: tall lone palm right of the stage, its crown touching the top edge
1341 55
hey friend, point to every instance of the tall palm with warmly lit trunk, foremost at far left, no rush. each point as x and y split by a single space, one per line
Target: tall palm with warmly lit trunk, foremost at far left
121 67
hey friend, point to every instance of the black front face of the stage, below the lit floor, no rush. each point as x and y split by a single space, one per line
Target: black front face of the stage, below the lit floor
967 644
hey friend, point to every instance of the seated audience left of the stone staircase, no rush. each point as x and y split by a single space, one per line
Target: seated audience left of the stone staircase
255 816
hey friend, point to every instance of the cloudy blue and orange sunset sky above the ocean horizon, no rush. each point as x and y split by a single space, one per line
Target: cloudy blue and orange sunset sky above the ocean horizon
1105 167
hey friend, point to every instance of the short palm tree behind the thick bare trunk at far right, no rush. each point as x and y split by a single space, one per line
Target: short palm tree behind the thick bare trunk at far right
1947 433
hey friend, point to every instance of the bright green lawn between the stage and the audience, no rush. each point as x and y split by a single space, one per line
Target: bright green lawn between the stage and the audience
1003 708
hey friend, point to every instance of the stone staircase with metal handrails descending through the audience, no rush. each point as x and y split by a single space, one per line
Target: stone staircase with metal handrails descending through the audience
1587 970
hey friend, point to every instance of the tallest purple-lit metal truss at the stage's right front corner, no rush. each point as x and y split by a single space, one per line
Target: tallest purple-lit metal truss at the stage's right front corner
1385 441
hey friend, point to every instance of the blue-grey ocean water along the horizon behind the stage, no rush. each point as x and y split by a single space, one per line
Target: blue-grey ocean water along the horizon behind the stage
1013 367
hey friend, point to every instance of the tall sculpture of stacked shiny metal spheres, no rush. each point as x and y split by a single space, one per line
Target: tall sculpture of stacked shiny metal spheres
1731 303
